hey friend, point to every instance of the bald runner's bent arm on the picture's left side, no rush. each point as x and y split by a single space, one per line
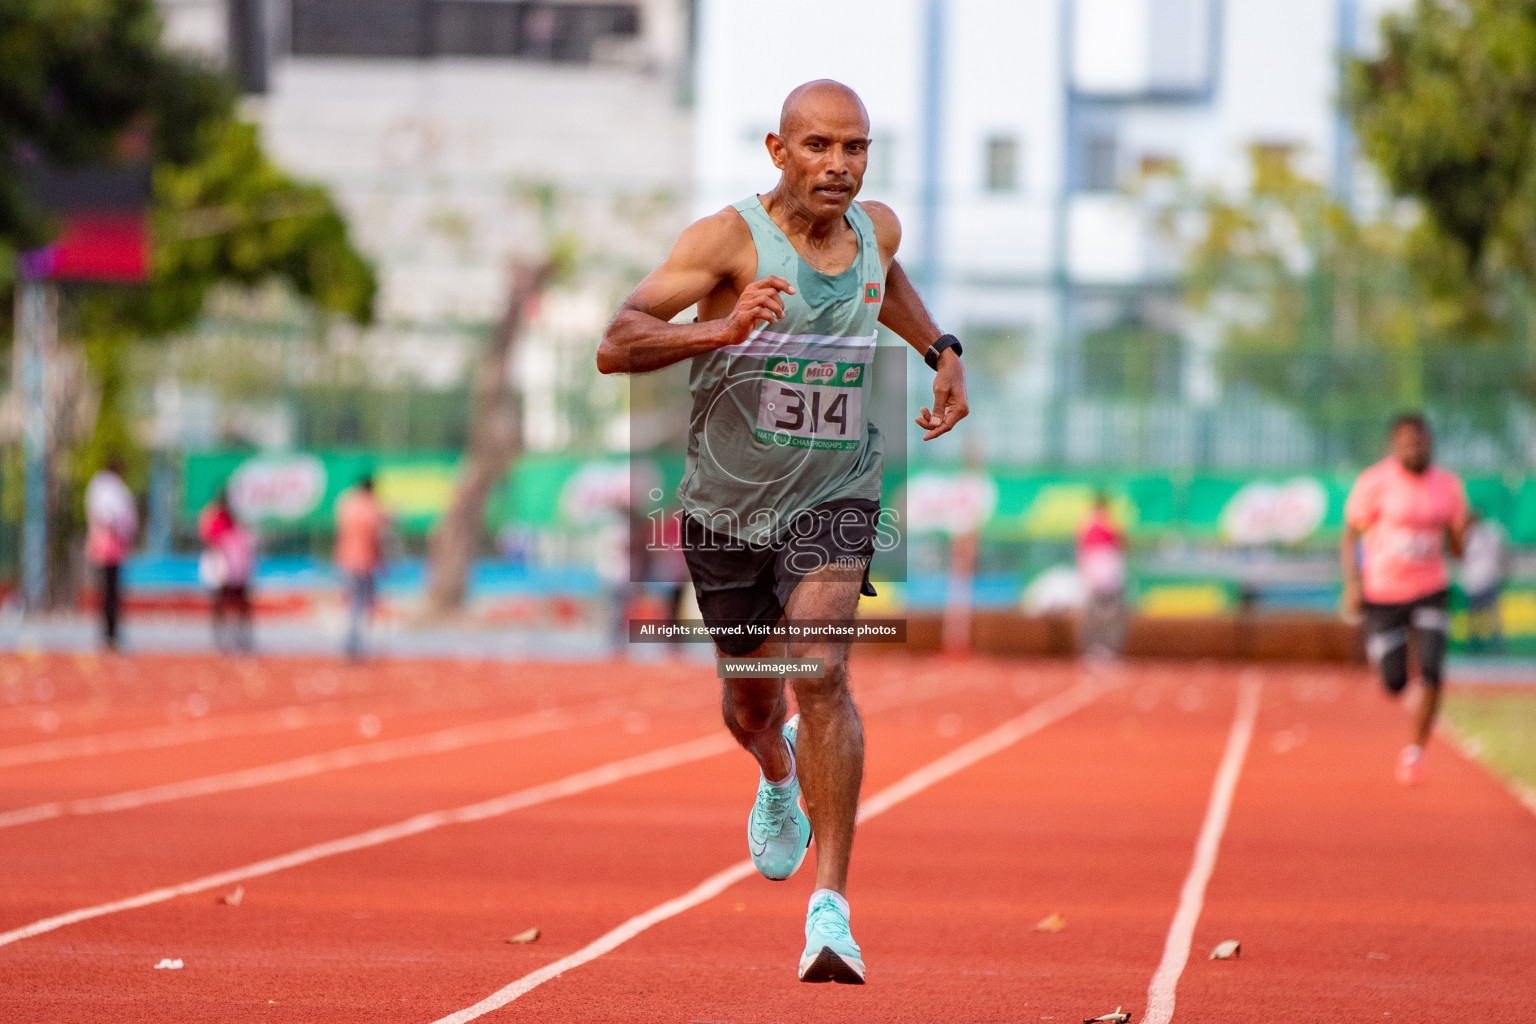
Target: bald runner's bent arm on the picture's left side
643 339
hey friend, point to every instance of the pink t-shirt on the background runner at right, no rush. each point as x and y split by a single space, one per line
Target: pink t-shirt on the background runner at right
1405 518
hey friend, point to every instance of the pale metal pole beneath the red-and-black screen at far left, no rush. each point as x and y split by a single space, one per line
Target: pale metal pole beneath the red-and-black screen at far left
36 329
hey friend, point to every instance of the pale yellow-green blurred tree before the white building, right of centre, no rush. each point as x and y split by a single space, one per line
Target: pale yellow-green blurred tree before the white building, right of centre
1325 311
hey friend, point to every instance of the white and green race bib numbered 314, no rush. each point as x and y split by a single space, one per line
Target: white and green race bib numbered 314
812 406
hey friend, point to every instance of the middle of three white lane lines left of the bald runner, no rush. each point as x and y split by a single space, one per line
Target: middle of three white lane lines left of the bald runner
442 742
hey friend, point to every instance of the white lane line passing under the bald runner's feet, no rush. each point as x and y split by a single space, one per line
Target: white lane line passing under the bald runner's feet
999 739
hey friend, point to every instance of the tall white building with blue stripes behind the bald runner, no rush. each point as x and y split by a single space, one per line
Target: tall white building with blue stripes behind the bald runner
1048 111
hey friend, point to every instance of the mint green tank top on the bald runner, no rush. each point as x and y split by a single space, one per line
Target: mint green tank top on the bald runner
781 421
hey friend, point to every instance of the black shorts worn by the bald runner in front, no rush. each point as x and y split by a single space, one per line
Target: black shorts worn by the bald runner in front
738 583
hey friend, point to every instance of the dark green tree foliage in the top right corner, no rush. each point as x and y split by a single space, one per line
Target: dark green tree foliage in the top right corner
1446 114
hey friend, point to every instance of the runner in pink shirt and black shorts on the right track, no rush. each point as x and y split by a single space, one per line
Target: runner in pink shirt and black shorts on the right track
1405 515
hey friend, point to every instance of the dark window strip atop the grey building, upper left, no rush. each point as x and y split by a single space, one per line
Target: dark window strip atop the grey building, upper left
458 28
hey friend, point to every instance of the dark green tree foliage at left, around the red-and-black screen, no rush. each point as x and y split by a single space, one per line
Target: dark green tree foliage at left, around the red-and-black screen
90 82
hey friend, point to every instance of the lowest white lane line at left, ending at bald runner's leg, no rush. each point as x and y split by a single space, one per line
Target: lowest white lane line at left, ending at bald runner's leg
572 785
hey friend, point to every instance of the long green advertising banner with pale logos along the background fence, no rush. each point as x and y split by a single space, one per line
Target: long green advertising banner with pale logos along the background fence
557 492
